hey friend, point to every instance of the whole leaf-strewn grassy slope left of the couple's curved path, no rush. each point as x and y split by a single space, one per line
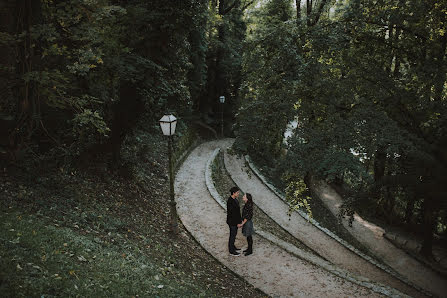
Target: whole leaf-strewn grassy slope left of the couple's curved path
75 233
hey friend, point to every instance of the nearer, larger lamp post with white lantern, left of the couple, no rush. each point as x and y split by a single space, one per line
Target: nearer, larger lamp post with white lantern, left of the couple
168 124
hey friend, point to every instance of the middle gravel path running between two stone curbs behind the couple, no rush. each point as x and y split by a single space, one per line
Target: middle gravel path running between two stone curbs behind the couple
314 238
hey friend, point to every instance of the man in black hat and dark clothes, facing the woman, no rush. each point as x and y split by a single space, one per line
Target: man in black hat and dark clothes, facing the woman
233 219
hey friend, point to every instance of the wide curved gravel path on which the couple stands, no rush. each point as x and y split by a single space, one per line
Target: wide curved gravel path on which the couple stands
270 268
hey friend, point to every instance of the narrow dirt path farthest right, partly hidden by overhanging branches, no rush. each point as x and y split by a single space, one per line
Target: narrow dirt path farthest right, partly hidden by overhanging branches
372 237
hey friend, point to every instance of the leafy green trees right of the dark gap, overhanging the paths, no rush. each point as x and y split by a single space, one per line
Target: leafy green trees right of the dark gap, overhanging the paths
366 82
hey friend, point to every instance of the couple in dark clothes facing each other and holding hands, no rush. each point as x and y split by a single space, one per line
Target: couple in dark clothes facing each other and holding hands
235 221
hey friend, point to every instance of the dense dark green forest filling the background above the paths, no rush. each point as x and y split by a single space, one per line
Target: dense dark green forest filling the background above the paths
364 81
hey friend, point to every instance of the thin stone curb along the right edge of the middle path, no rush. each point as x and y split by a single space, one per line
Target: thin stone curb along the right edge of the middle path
281 195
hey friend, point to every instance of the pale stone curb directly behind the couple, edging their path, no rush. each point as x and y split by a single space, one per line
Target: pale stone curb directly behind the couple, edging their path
317 261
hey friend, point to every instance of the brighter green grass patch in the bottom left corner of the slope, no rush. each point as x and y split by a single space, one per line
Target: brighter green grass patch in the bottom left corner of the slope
48 260
